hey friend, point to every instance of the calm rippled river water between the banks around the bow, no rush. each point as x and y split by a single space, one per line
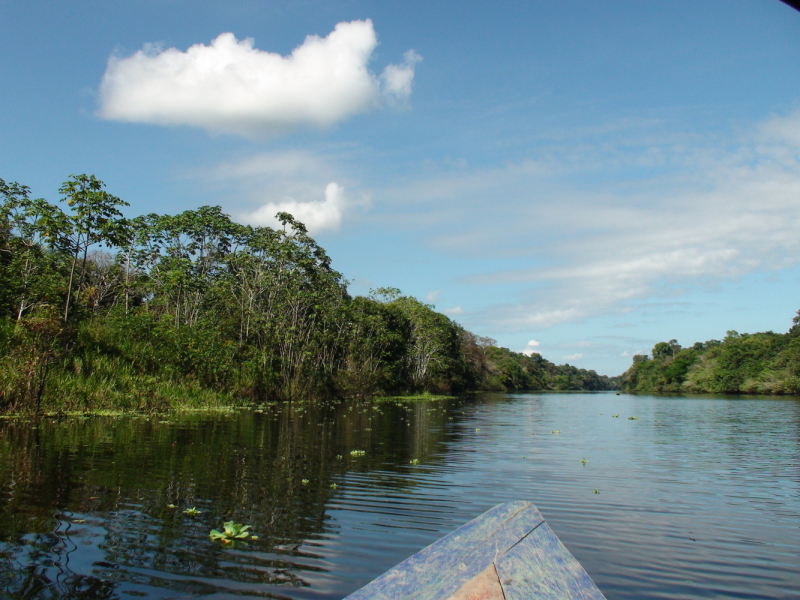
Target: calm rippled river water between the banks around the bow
697 497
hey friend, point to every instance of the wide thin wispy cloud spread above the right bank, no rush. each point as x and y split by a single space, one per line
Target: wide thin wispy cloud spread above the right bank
617 217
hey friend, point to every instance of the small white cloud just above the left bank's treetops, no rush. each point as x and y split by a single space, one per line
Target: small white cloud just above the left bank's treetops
315 215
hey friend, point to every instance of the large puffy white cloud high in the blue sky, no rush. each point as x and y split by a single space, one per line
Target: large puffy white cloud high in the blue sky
230 86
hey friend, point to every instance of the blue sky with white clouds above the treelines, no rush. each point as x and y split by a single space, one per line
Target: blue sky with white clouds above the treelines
579 179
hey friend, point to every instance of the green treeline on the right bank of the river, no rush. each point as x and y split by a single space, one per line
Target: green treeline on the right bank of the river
759 363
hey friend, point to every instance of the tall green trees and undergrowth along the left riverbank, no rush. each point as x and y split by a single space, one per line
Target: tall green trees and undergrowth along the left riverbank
101 311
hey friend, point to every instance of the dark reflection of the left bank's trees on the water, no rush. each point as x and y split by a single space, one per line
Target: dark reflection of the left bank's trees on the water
110 481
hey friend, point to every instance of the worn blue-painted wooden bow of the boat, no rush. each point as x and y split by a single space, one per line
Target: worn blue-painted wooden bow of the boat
508 553
